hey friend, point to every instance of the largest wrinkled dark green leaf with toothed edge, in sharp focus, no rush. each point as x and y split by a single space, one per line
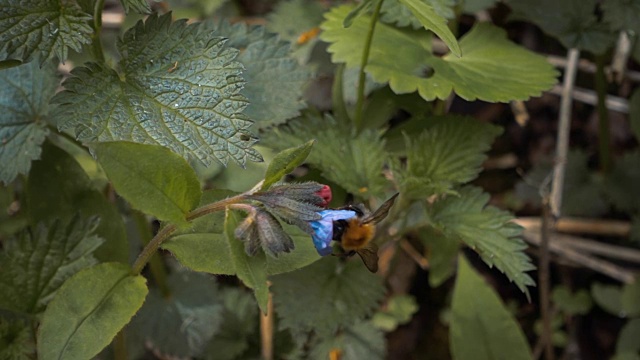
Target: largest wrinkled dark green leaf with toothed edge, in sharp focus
178 87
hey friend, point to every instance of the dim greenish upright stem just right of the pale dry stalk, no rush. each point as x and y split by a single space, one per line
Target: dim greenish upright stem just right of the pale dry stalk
604 132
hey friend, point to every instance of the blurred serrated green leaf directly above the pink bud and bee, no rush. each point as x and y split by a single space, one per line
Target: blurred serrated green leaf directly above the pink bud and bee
355 163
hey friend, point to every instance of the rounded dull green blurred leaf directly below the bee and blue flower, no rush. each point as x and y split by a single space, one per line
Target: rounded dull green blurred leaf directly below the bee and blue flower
325 295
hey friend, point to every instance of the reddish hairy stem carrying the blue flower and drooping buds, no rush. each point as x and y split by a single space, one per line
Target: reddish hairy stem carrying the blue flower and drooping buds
166 232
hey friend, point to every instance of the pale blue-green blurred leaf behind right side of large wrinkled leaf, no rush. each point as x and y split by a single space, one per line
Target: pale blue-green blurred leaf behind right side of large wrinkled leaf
274 79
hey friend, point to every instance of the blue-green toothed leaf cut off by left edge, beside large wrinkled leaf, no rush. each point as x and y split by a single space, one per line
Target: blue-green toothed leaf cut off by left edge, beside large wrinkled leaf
24 101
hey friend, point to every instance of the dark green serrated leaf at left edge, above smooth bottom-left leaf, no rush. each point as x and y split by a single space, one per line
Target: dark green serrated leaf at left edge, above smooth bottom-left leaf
36 263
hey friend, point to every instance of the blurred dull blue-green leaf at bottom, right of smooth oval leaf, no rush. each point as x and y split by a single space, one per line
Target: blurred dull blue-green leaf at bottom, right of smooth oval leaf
182 325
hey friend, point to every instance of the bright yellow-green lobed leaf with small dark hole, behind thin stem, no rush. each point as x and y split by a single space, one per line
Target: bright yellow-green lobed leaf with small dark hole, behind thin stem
492 68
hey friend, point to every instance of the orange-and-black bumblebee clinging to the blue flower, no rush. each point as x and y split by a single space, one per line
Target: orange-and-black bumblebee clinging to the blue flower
355 234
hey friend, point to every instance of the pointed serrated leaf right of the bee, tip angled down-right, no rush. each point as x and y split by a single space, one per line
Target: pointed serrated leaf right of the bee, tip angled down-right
487 230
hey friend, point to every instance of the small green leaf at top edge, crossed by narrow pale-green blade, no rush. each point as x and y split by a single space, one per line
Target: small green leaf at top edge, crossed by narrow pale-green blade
393 12
